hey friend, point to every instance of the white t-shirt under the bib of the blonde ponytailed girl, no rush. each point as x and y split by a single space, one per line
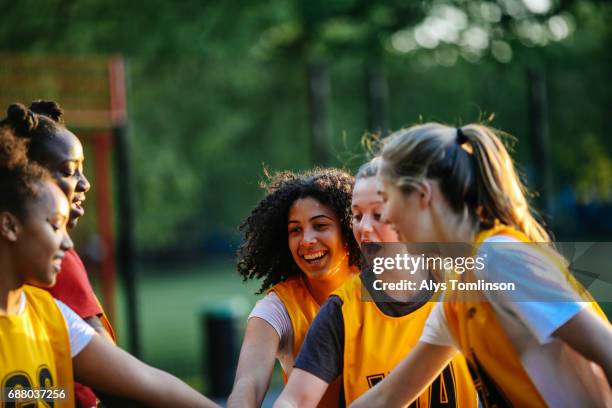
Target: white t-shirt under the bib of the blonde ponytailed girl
562 376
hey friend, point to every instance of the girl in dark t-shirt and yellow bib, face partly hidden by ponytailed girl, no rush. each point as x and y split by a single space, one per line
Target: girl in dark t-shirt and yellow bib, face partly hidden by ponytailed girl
361 338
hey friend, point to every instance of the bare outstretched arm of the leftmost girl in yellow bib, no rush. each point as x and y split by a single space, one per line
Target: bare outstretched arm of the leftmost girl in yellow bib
103 366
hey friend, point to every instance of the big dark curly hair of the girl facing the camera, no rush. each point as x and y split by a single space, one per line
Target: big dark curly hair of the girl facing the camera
264 252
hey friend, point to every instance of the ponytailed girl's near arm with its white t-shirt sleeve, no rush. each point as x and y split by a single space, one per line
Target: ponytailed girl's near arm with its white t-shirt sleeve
551 306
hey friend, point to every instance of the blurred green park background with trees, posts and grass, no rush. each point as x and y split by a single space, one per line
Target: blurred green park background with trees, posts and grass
181 105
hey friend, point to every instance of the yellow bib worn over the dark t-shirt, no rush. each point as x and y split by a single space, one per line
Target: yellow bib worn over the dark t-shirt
375 343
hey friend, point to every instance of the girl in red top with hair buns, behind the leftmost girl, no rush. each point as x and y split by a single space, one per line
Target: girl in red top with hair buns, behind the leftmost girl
56 148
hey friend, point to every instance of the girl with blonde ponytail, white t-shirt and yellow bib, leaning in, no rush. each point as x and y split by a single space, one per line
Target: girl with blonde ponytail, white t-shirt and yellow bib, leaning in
552 348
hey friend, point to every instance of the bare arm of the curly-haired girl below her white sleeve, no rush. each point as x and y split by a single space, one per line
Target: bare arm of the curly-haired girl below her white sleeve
257 356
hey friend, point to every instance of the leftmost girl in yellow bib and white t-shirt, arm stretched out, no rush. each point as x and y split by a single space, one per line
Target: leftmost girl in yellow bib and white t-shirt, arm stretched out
43 343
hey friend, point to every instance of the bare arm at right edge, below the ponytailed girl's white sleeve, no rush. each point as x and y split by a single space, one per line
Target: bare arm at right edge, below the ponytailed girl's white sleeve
590 336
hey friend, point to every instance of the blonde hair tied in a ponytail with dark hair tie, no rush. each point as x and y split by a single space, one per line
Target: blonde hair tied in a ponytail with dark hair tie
474 170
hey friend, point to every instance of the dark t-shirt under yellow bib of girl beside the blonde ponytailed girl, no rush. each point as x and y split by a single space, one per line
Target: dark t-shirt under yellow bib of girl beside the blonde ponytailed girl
322 351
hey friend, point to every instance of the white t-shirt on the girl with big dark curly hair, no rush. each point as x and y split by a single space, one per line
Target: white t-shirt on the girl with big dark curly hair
273 311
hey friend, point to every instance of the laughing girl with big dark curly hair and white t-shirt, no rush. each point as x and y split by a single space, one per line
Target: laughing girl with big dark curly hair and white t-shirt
299 241
